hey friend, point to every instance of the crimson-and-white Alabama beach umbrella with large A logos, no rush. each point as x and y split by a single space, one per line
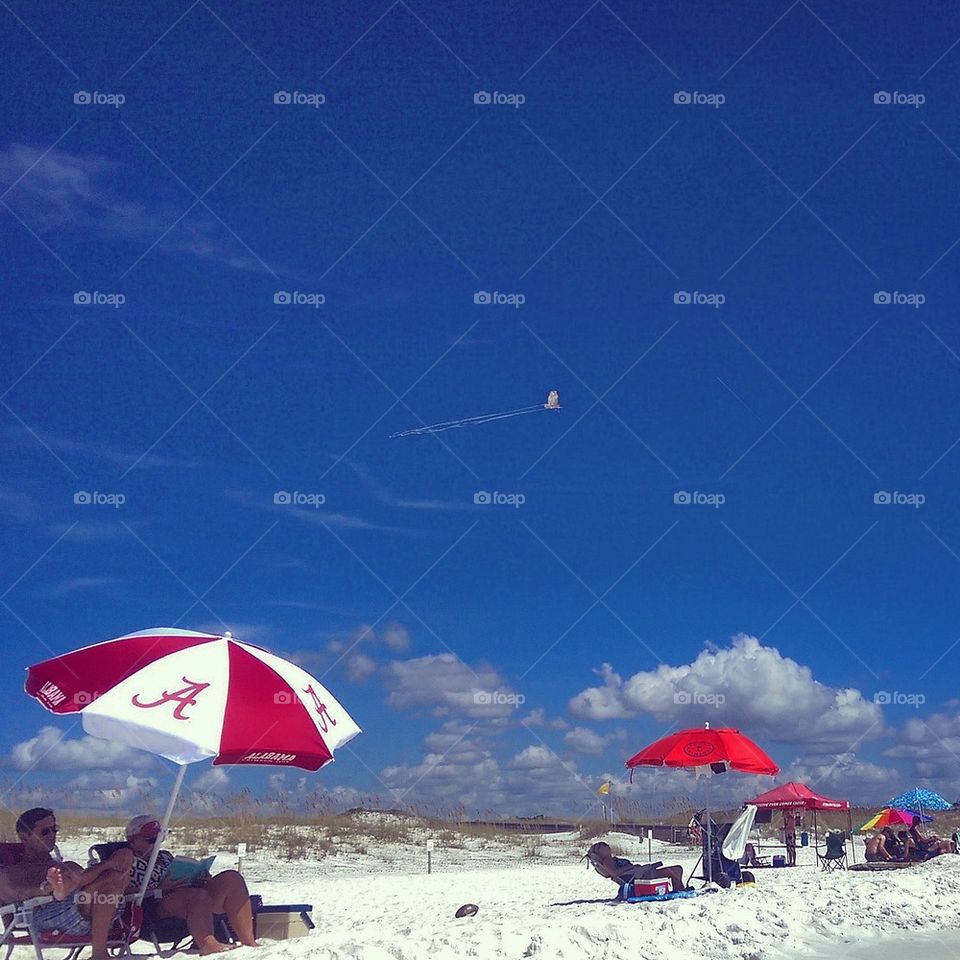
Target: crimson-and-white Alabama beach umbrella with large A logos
193 696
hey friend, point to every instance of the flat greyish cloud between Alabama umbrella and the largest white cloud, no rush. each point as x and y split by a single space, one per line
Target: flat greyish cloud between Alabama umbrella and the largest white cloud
448 686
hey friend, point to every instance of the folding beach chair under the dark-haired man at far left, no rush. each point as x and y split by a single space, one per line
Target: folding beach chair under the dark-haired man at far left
21 928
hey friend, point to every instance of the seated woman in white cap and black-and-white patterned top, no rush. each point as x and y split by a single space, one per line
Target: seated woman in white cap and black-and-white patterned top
194 900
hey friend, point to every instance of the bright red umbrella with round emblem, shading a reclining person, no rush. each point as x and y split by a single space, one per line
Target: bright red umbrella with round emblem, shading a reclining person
700 748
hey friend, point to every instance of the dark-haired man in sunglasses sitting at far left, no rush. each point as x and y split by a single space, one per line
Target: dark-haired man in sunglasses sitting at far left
86 901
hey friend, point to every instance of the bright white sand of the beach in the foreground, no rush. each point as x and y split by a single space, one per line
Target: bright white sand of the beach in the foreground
383 906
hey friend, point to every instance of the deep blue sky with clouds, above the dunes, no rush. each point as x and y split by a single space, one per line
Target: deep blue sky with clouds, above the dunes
803 201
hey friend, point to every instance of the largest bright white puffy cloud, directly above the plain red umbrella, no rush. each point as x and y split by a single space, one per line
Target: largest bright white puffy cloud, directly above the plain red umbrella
747 685
